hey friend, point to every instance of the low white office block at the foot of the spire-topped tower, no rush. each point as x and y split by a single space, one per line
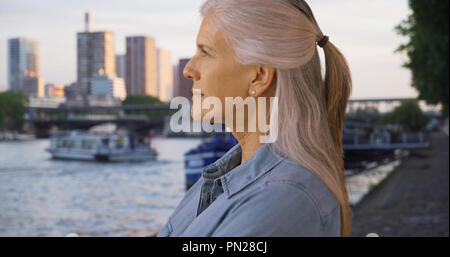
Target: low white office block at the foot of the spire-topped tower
108 85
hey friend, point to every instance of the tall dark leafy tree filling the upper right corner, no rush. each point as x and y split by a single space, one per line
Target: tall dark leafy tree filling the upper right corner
427 49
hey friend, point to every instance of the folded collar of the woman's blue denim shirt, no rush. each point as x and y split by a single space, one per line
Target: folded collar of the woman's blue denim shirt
234 176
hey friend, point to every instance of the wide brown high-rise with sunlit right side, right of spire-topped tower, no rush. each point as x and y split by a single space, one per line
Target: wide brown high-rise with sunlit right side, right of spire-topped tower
141 73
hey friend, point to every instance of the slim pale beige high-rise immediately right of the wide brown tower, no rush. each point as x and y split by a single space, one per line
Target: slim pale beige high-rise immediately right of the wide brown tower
165 75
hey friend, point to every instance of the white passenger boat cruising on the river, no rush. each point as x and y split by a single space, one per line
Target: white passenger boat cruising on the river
97 145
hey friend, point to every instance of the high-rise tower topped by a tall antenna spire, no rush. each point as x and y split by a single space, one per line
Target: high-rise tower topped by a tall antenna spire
95 52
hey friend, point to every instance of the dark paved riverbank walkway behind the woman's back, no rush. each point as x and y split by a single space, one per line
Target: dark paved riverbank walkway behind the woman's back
413 199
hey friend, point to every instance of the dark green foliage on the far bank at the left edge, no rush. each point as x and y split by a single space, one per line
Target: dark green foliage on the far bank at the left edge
12 110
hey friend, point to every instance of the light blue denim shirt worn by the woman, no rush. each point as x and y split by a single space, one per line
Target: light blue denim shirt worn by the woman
268 195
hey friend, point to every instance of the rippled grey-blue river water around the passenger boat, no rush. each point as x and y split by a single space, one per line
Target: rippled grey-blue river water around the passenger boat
40 196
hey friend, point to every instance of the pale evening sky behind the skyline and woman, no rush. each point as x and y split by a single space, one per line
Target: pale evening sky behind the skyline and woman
362 30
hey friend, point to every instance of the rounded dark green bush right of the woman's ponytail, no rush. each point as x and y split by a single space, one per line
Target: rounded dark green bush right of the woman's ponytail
408 115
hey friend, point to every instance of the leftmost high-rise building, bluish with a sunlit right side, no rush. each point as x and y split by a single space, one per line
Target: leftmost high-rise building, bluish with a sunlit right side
23 64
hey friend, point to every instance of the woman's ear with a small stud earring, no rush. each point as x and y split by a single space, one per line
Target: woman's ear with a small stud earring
262 80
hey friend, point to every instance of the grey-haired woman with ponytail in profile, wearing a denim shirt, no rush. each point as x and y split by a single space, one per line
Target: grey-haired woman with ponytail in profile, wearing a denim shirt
294 186
